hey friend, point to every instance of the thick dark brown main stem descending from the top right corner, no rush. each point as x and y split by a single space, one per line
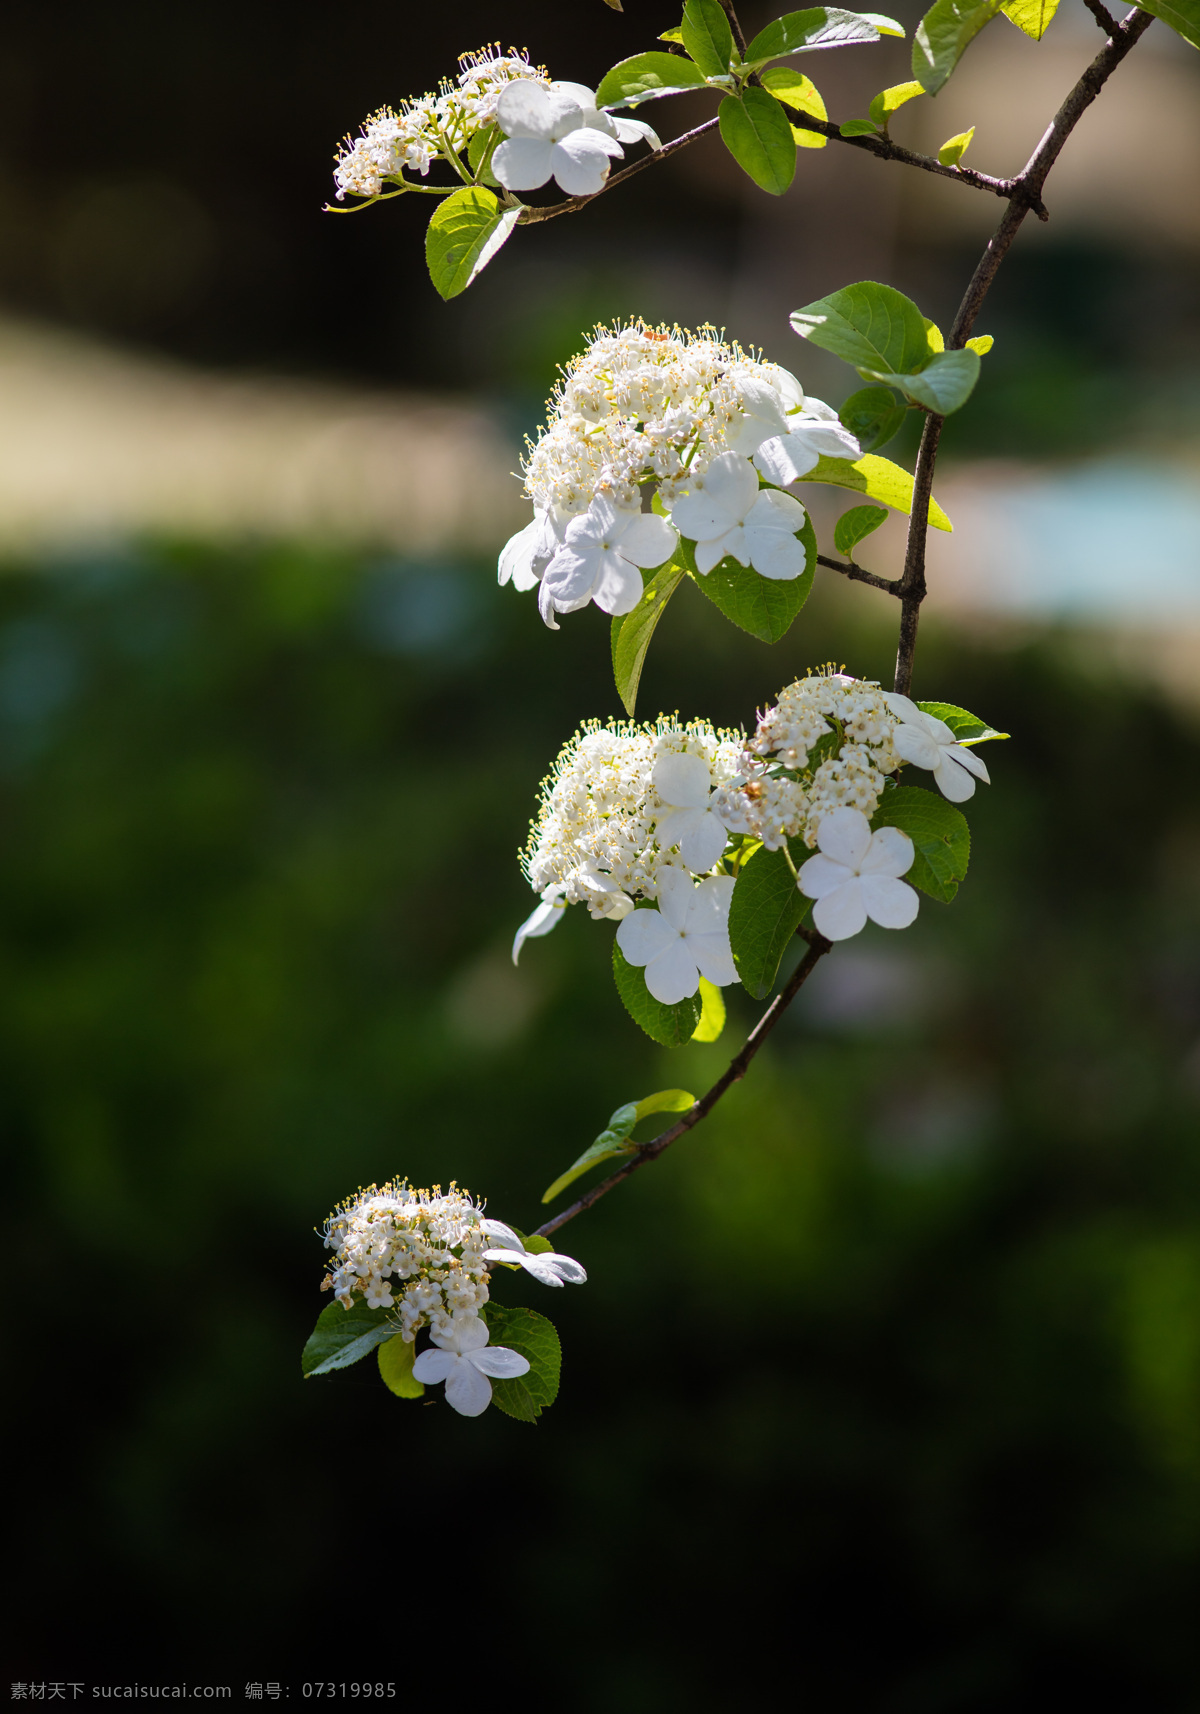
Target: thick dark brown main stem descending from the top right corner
1026 196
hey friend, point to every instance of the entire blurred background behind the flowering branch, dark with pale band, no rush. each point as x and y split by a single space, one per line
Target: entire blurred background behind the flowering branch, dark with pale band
885 1389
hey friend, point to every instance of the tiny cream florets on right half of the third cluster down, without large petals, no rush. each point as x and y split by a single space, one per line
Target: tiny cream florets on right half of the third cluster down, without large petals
827 745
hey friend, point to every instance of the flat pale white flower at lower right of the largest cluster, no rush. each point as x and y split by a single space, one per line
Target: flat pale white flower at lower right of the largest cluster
724 512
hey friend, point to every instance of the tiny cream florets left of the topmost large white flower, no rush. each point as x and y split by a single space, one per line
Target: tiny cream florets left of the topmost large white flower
431 126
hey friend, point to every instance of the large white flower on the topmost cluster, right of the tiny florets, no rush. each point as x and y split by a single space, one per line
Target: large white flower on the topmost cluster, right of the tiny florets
548 138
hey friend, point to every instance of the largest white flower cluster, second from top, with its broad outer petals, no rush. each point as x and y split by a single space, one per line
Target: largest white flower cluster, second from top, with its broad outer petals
690 414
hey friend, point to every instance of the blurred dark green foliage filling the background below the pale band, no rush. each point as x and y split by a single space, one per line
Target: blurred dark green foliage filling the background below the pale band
904 1345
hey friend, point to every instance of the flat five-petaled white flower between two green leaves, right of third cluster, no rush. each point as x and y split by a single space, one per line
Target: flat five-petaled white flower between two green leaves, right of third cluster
856 877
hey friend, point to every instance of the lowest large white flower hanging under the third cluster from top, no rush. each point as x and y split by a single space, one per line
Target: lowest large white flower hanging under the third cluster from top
687 938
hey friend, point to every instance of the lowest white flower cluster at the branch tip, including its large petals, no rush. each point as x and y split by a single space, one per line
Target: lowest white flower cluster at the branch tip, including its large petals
426 1254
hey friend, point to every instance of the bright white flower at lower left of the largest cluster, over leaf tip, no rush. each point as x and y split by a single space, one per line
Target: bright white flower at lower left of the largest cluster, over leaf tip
599 560
